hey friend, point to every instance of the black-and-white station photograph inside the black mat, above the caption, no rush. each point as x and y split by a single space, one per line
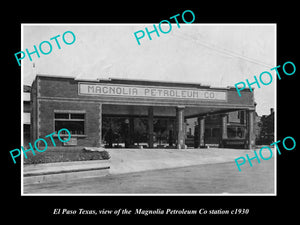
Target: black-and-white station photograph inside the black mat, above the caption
170 108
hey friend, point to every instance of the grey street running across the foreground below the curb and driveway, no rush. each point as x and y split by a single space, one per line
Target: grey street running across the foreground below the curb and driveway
216 178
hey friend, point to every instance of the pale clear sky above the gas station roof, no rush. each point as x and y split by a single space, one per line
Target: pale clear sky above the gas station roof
218 55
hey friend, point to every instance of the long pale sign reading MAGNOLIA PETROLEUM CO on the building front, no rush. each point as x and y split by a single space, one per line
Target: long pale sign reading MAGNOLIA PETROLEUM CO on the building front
95 89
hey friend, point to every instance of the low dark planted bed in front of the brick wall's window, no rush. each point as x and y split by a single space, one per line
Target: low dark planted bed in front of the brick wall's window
64 154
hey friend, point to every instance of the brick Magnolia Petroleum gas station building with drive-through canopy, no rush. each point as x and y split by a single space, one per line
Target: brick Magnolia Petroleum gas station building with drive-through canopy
131 113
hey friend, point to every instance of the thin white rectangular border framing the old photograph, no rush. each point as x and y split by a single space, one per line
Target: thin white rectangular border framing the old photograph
142 194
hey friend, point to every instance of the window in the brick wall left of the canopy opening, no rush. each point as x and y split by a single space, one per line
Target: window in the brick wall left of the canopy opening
74 122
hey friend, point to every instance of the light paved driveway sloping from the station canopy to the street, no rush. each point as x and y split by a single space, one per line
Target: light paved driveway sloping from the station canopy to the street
136 160
